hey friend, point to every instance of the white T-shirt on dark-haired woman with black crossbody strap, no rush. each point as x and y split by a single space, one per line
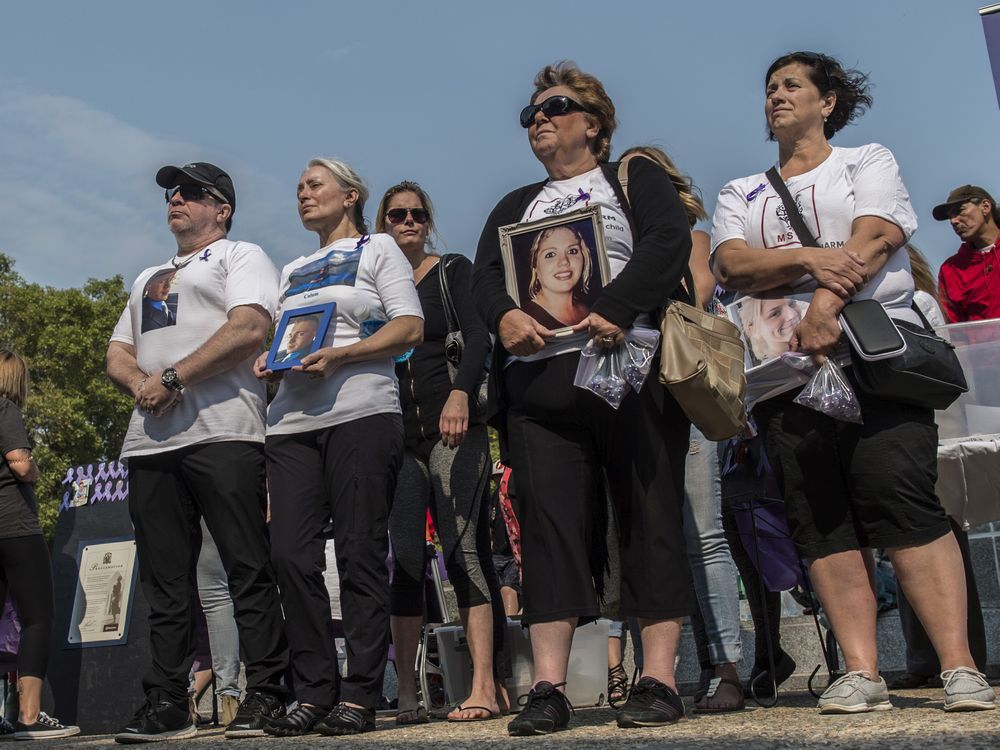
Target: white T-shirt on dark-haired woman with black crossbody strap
850 183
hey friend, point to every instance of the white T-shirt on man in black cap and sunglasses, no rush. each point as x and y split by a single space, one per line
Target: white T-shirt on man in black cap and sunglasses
167 323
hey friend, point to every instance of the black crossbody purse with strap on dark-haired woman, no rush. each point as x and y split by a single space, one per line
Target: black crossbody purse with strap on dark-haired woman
927 374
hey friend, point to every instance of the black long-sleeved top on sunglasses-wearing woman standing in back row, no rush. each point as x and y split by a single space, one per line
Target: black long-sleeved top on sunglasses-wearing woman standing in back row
424 384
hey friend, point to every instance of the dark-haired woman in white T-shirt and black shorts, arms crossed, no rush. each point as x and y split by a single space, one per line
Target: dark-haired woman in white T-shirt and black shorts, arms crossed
847 487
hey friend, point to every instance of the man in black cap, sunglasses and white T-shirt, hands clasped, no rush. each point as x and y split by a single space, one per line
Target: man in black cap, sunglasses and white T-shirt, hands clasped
195 450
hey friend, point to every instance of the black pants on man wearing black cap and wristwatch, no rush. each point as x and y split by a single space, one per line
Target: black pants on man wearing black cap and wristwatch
168 495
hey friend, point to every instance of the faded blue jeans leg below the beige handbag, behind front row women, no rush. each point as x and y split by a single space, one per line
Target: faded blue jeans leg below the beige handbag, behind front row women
711 562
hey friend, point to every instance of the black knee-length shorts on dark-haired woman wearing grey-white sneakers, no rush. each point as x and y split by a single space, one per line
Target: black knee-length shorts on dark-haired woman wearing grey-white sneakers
849 486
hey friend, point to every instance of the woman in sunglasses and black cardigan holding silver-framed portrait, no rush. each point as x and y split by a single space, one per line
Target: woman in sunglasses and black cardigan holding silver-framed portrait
563 441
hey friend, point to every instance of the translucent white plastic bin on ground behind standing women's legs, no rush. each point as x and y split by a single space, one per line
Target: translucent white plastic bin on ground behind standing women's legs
586 680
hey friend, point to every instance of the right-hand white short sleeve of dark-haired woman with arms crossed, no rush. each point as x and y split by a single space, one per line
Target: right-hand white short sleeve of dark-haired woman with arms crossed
879 189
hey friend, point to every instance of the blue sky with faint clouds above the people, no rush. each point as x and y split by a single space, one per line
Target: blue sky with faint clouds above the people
95 96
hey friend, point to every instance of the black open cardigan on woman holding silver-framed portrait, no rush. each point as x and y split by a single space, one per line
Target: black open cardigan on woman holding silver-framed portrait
661 248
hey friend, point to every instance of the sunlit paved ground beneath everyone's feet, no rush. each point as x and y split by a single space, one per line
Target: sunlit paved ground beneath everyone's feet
917 722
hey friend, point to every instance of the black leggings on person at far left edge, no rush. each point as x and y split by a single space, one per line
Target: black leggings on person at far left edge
26 572
